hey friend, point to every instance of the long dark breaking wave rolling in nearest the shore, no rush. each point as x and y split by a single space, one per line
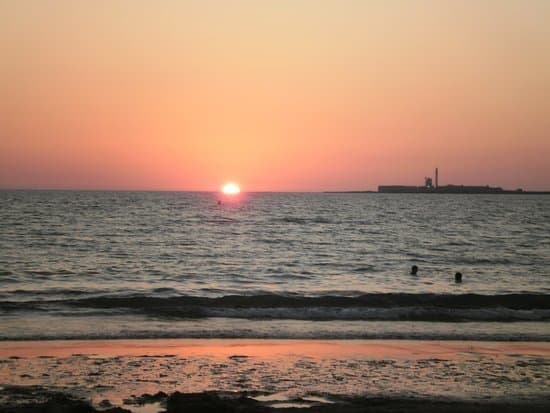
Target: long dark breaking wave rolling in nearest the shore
384 307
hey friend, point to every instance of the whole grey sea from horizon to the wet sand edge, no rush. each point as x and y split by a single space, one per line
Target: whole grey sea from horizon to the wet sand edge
91 265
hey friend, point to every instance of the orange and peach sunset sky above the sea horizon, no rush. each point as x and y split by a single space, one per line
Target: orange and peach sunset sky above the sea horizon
281 95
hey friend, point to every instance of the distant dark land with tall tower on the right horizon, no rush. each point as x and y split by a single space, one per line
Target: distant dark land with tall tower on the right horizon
430 187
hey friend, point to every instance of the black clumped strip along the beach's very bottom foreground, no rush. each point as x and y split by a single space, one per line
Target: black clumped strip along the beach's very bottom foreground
39 400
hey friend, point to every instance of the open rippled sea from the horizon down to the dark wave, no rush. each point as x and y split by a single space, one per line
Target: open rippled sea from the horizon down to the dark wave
62 243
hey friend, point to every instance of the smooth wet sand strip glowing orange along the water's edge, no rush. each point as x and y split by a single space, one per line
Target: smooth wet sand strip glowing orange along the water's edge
376 349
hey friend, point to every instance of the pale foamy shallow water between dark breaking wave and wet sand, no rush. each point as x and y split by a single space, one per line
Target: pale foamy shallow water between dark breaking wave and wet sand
125 326
